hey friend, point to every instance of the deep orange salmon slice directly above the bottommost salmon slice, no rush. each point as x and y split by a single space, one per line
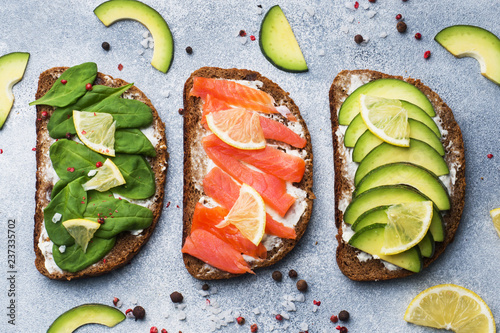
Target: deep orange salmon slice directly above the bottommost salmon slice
207 218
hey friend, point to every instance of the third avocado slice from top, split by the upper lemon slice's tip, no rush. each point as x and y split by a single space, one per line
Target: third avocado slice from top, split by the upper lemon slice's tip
368 141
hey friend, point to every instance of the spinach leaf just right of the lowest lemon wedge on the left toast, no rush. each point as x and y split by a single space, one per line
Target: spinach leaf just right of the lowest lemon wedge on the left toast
120 215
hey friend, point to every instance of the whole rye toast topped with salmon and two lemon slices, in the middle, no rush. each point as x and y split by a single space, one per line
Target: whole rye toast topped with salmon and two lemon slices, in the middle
247 173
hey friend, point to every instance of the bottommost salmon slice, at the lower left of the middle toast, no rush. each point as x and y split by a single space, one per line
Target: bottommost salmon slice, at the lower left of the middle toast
209 248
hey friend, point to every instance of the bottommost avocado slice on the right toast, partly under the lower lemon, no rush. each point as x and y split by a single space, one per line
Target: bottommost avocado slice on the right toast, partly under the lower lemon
371 239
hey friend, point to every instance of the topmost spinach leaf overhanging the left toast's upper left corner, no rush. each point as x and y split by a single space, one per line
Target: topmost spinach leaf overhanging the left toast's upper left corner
61 95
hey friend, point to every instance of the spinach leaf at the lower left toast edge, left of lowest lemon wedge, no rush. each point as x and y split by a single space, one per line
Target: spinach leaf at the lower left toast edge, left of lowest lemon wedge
70 202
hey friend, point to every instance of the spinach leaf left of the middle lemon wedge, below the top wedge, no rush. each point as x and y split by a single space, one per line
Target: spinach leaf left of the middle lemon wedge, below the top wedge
77 157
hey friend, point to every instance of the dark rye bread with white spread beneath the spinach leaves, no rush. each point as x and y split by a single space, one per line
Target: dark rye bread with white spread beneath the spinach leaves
127 245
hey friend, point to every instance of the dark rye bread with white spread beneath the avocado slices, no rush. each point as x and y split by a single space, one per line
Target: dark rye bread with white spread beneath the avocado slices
454 155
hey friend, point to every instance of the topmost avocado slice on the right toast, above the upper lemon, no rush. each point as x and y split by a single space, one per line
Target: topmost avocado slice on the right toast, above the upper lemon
387 88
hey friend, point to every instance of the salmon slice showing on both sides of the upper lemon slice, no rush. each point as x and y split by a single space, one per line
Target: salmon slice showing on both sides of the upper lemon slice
273 130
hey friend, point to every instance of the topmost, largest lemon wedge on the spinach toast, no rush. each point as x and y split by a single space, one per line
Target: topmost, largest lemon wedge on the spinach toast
96 130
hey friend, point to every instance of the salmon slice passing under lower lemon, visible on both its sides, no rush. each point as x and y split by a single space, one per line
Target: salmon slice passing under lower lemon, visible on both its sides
222 188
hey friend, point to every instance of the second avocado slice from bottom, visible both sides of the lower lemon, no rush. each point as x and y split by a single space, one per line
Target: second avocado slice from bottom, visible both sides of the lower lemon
379 215
